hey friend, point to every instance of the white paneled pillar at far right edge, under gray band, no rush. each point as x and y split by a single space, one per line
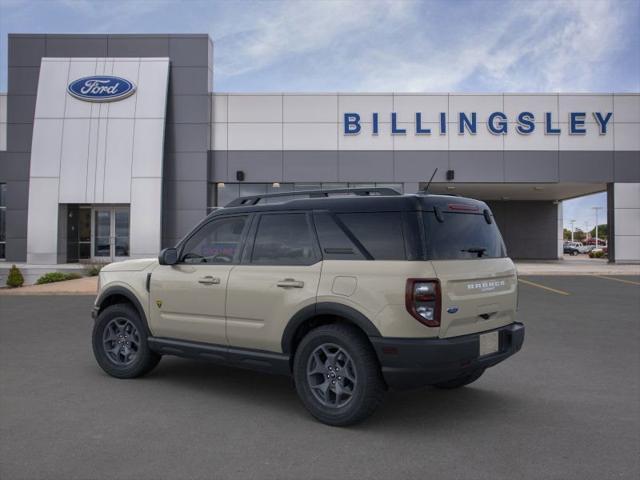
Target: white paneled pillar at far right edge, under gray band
626 221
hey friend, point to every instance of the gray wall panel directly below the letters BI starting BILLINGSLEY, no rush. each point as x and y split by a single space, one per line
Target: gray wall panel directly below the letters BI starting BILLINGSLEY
364 166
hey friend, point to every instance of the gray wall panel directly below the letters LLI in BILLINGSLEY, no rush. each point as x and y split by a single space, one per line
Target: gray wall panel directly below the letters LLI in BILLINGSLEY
412 166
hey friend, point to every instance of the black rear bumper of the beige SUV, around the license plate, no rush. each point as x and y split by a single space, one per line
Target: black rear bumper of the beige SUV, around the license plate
416 362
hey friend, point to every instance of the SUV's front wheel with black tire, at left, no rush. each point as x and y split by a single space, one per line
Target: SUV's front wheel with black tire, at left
121 328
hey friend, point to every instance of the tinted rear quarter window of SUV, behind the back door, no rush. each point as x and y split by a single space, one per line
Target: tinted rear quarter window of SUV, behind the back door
380 233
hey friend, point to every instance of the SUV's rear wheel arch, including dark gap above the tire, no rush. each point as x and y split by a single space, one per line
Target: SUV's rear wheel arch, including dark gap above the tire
321 314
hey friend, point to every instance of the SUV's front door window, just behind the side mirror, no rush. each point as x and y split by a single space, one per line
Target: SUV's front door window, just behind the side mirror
217 242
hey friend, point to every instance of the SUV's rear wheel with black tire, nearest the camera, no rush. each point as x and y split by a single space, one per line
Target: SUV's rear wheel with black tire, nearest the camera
340 354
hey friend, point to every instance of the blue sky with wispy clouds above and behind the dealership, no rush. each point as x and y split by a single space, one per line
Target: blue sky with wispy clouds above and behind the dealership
378 45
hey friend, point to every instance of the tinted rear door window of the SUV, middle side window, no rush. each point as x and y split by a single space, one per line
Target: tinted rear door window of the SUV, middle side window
284 239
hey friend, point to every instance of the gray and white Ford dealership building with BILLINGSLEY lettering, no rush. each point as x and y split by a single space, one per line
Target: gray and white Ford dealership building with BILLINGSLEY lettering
114 146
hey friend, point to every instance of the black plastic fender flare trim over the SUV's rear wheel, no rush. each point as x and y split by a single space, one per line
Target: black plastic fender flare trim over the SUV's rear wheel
350 314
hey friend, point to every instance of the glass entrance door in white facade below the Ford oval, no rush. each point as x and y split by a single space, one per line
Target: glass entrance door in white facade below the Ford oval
110 233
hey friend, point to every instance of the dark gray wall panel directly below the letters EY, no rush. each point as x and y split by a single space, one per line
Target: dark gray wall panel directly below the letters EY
586 166
